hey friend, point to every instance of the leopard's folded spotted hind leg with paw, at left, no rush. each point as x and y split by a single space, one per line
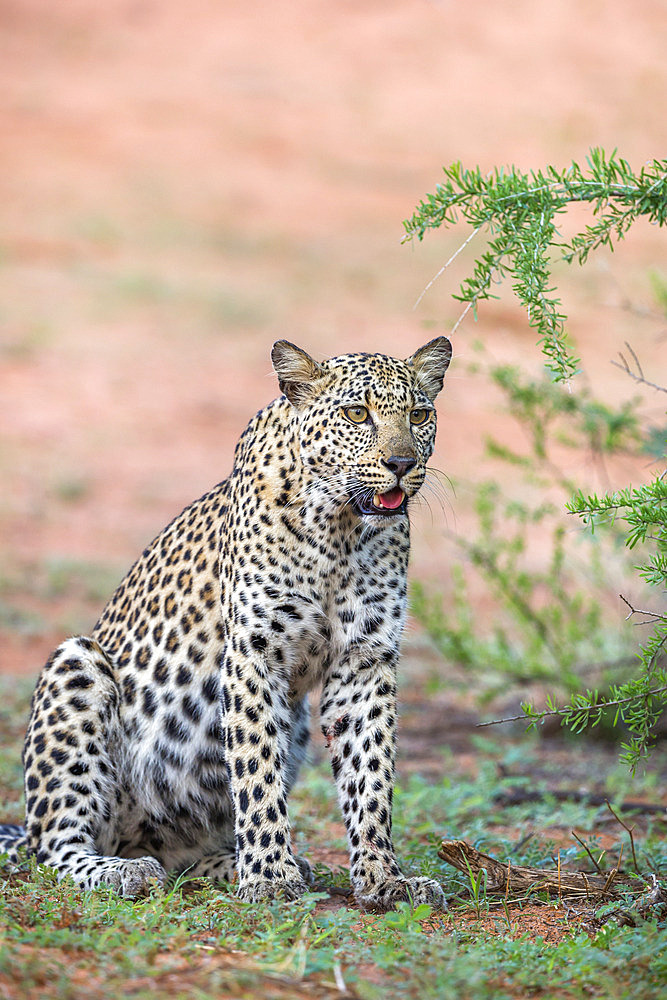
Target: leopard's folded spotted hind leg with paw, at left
71 763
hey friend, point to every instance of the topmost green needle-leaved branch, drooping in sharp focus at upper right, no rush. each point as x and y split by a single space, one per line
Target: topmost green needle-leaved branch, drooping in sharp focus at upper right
519 210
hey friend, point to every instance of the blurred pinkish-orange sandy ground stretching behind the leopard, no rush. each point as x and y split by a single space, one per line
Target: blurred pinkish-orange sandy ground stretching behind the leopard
182 184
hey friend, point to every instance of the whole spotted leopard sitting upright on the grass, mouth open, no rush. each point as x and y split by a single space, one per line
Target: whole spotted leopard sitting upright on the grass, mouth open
167 740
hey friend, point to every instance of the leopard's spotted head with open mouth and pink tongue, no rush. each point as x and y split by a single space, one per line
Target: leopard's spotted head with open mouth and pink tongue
366 422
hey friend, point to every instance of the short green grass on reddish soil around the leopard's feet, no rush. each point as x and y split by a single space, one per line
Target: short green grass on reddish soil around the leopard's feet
195 940
